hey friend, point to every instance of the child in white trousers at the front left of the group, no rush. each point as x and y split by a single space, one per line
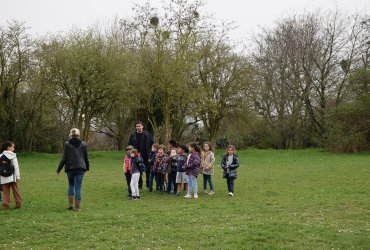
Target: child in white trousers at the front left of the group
136 167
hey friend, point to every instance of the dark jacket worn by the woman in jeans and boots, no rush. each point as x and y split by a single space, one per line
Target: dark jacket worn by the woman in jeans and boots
74 156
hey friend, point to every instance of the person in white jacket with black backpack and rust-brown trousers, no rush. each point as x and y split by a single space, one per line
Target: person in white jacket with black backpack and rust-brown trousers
9 180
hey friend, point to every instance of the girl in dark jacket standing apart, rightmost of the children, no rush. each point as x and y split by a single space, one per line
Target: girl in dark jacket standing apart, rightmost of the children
230 163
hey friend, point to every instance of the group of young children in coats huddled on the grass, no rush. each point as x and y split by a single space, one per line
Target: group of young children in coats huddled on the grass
178 168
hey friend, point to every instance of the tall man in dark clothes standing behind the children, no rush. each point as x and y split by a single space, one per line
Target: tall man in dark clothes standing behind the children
142 140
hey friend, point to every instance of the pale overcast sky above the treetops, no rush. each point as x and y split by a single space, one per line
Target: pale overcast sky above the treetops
45 16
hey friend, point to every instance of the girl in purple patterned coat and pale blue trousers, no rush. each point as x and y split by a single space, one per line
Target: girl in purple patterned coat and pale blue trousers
192 168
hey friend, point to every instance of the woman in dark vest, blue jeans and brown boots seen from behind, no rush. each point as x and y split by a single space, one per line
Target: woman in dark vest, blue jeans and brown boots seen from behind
75 162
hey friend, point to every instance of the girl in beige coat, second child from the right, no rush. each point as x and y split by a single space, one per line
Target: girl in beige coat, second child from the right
208 161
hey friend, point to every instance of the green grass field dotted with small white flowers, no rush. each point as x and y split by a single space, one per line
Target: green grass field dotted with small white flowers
306 199
